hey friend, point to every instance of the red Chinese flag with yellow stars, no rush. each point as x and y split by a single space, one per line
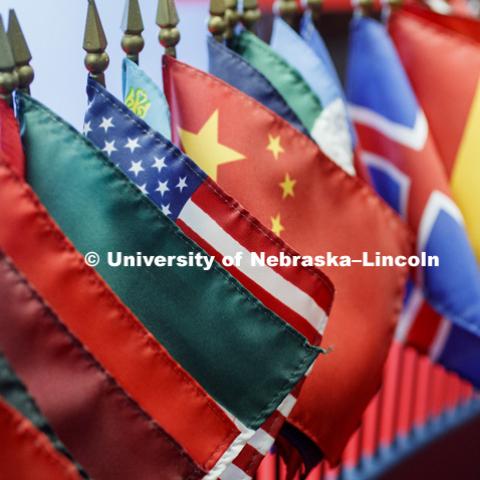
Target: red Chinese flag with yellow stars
282 177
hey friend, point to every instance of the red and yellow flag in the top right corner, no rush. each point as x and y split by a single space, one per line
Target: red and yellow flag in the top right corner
449 92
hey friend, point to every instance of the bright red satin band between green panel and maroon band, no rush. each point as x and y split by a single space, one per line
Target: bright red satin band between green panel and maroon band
107 328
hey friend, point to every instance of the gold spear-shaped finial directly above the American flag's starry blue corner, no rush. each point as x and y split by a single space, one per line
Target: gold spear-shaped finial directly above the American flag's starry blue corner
95 43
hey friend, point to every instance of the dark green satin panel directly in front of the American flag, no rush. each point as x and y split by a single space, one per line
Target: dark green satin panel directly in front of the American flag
210 324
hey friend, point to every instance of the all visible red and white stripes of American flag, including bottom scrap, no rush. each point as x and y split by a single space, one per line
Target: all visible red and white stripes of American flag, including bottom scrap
302 296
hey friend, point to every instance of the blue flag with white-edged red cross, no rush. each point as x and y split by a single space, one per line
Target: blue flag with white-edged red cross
406 170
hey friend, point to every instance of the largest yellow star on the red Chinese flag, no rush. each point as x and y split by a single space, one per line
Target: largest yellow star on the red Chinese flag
205 149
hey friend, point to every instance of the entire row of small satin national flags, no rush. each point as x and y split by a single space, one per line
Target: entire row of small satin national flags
195 373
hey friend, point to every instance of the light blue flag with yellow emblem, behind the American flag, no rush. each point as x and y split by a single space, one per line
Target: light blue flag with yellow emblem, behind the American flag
145 98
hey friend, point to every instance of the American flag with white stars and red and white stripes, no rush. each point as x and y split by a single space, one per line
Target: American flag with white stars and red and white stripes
302 296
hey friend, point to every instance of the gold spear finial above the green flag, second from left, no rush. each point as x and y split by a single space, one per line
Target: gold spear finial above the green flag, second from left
21 53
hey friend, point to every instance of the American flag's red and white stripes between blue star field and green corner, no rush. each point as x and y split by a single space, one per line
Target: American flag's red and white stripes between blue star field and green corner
301 296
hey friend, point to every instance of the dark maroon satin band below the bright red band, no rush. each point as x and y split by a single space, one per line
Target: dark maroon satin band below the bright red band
102 426
